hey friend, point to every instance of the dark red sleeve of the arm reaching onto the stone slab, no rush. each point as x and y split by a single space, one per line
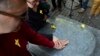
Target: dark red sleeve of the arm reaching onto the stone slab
34 37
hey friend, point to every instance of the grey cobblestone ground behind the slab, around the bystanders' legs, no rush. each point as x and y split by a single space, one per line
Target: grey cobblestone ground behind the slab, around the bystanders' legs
83 17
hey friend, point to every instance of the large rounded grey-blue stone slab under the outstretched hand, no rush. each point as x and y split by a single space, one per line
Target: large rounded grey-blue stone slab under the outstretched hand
82 41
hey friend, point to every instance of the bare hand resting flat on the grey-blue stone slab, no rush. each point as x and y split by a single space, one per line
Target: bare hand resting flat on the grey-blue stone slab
59 44
